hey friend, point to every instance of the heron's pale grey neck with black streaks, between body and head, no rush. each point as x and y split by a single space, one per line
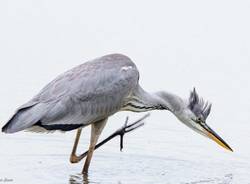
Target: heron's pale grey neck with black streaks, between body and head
142 101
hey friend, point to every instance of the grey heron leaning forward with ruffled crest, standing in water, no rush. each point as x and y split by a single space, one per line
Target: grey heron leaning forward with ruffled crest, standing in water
95 90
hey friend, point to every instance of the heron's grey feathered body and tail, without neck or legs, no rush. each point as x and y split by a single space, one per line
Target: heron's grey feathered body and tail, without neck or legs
82 95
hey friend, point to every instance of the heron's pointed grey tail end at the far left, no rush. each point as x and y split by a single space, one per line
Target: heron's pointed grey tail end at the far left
24 118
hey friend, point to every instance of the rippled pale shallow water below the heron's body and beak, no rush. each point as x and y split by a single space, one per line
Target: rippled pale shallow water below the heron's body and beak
157 153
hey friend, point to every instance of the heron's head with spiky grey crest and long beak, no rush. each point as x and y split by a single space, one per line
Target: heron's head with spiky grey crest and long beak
194 115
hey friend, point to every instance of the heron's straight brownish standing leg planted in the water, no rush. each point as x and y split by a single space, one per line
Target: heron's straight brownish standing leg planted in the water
96 130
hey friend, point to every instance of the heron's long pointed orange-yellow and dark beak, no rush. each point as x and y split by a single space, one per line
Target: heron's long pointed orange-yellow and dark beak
215 137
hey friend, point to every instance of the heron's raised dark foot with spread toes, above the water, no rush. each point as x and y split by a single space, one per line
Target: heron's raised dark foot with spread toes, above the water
128 128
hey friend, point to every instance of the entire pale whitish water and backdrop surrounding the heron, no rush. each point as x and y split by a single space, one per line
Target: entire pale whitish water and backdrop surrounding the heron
175 45
